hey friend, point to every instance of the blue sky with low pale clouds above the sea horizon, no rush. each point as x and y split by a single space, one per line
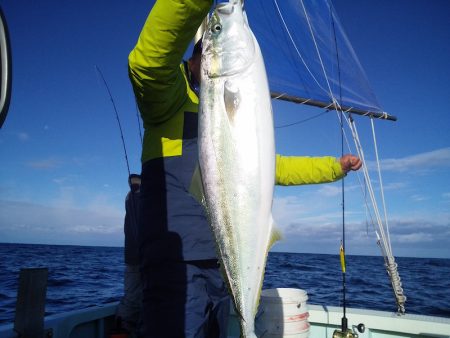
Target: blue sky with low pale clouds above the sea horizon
63 176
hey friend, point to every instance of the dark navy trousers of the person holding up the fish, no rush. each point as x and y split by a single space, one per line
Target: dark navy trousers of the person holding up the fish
185 299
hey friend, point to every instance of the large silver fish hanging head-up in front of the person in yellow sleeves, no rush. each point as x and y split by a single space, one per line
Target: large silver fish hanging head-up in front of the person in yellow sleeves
237 154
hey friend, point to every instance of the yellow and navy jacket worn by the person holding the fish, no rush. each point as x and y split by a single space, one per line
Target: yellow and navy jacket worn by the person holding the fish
173 224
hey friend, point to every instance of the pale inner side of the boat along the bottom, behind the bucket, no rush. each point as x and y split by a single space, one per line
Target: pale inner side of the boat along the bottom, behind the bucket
96 322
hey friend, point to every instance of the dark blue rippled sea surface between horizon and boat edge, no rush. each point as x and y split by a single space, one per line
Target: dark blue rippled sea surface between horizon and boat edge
81 276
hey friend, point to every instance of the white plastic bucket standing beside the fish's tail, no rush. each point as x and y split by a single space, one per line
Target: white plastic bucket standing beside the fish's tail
283 313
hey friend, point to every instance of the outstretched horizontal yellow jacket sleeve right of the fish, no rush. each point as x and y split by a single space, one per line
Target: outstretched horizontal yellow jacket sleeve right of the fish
298 170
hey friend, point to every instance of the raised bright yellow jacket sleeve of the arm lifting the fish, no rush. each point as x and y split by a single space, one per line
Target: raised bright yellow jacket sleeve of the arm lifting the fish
154 63
